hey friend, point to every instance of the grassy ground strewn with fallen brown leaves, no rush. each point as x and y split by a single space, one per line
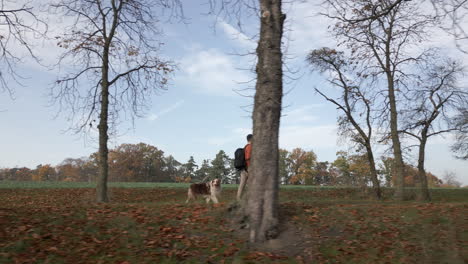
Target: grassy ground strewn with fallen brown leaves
150 223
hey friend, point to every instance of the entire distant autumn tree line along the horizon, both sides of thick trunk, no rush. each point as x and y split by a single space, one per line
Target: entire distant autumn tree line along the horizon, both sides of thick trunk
146 163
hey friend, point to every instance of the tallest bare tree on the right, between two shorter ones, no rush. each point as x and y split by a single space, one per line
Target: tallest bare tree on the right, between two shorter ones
382 45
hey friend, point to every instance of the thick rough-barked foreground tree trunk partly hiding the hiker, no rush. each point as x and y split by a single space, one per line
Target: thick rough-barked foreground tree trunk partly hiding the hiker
262 206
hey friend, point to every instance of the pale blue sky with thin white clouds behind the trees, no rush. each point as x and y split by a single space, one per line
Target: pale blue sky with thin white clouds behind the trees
207 106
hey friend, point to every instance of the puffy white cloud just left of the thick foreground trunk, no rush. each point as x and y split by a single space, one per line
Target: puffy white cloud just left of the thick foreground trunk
212 72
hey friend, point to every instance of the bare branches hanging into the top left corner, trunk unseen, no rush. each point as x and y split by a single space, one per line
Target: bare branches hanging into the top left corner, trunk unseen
20 25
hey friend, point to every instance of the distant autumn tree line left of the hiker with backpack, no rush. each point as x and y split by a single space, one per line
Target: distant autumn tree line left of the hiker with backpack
129 163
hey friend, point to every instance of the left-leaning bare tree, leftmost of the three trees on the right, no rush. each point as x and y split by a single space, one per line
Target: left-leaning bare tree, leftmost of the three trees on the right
355 102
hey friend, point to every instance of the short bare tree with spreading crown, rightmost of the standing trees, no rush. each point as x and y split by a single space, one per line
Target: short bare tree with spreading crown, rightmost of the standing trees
430 107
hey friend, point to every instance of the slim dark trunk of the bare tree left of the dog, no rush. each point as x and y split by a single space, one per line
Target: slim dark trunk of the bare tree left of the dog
101 190
